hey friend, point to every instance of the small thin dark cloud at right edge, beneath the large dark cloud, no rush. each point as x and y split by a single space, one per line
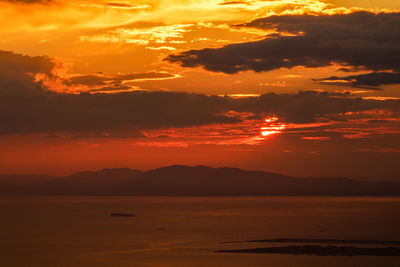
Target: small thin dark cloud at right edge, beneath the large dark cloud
368 81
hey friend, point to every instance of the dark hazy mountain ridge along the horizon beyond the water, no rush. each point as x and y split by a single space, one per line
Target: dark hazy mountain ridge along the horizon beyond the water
180 180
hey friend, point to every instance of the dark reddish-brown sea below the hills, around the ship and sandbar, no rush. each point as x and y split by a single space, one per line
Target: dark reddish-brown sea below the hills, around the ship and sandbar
79 231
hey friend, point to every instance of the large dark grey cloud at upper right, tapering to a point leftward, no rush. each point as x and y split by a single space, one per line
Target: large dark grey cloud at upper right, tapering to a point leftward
360 39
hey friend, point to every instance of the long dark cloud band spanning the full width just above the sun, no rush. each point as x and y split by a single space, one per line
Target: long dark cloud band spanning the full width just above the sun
26 106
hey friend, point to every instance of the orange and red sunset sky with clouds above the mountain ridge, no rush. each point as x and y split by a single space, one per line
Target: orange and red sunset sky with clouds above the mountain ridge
298 87
